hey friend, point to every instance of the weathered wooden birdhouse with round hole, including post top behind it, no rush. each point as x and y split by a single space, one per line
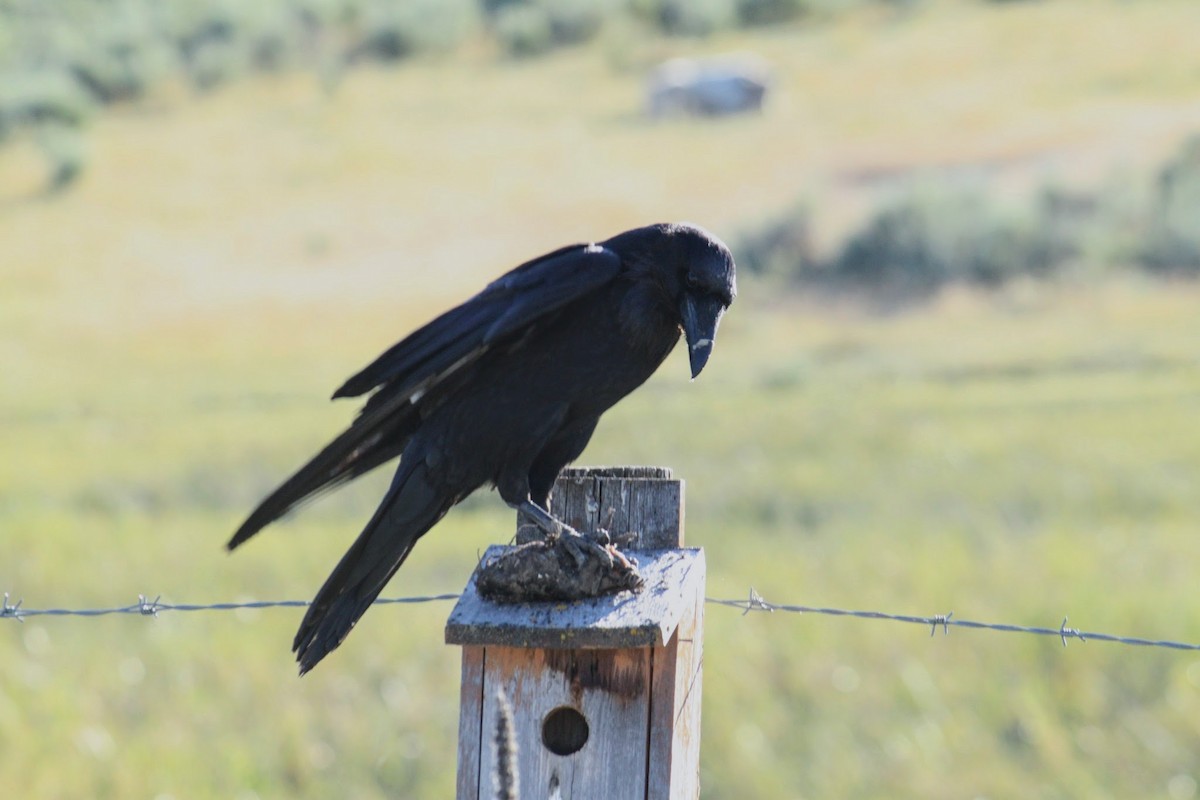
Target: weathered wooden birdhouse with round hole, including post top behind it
605 693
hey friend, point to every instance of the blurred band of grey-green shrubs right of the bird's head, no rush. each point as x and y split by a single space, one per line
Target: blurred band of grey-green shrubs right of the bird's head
940 233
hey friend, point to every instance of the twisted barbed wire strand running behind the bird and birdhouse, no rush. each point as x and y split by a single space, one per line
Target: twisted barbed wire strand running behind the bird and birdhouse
754 603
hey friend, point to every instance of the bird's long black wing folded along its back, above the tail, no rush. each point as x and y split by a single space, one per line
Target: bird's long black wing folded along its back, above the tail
416 369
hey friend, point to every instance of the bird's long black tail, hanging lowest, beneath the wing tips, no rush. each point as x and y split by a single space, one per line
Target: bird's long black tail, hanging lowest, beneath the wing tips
411 508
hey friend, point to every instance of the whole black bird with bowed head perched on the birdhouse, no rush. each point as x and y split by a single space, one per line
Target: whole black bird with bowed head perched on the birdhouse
507 390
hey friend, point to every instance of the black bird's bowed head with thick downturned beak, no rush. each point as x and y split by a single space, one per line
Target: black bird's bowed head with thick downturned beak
707 287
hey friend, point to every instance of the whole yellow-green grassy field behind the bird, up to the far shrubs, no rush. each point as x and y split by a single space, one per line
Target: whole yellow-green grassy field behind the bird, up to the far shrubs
170 330
